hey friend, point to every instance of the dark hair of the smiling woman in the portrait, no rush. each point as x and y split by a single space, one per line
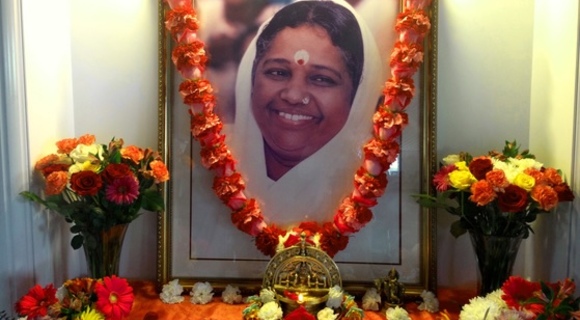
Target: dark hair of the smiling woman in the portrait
340 24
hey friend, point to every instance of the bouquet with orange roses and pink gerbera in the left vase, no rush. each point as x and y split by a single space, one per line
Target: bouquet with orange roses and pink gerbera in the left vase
97 186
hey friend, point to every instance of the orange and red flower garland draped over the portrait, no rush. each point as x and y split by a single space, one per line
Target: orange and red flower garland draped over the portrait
370 180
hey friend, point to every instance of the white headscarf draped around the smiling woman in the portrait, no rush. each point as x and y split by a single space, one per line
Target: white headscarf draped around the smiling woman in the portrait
314 188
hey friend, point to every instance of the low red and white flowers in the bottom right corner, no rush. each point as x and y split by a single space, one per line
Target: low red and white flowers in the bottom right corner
522 299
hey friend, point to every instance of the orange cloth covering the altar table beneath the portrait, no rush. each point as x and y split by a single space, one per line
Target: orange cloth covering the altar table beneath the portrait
148 306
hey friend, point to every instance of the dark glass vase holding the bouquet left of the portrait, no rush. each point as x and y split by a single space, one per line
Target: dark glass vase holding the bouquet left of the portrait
104 254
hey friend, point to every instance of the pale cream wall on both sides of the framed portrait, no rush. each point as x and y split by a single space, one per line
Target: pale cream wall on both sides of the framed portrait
89 69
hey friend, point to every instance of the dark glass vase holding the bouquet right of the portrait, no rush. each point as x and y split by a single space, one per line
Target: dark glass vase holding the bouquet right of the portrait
495 257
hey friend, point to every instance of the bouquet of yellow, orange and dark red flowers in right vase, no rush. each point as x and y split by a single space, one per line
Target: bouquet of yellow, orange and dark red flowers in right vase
498 194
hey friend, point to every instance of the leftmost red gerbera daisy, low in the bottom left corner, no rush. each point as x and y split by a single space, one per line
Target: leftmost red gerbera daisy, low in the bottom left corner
36 302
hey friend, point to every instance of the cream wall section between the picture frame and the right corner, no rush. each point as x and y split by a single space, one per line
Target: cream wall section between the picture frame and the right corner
483 99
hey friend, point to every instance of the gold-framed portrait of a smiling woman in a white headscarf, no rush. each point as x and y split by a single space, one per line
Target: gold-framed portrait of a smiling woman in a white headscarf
298 162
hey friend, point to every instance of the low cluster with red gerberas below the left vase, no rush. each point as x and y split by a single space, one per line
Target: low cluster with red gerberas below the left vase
109 298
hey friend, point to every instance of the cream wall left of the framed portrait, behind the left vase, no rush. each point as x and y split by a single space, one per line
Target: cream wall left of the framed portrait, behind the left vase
70 67
